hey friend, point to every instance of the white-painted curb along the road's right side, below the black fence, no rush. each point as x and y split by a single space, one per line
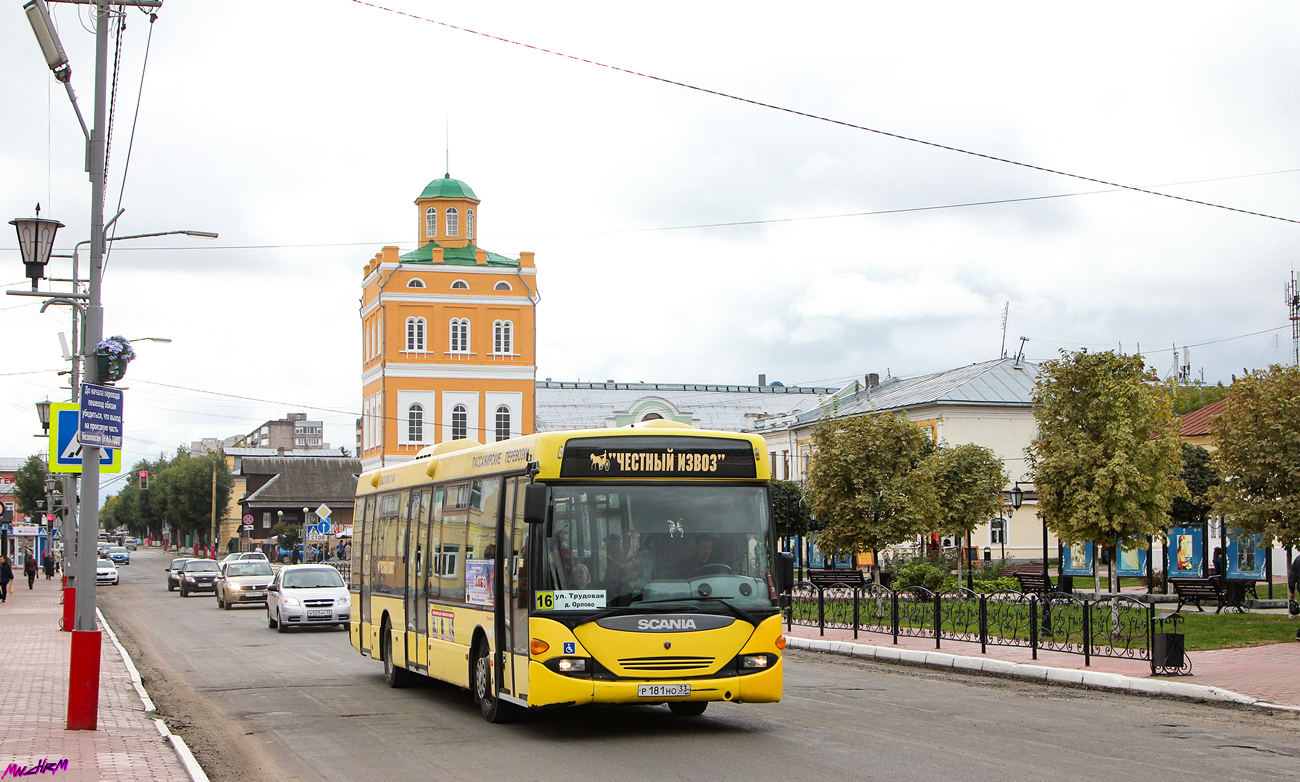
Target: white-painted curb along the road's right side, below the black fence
1069 677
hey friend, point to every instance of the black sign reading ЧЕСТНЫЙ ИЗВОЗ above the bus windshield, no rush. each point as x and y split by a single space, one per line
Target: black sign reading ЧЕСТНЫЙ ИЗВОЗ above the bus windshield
658 458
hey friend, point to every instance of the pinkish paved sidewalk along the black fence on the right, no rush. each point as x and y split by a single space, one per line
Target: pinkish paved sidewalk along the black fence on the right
1266 672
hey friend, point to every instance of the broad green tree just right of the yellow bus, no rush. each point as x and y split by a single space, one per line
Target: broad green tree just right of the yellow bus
865 484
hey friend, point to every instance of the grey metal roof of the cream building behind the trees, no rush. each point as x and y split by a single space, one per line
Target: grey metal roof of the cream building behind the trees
1004 383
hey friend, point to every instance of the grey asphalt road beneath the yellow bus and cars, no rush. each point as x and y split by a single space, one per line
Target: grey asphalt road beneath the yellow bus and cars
255 705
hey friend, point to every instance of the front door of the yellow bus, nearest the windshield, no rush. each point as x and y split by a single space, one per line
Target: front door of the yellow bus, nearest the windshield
515 594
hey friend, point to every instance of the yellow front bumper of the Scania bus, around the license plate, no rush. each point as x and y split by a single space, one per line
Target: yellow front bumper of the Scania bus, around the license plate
548 688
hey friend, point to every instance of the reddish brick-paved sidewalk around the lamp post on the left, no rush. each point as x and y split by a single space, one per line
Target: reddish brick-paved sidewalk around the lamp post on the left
36 658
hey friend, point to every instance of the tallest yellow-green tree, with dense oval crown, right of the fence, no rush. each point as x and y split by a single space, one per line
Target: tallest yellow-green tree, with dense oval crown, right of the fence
1107 458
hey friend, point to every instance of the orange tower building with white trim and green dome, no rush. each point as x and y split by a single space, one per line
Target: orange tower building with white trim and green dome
448 334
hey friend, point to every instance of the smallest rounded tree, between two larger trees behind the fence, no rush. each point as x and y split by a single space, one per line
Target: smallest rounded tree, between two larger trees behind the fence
968 490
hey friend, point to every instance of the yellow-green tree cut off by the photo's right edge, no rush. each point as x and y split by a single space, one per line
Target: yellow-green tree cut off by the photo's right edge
1259 455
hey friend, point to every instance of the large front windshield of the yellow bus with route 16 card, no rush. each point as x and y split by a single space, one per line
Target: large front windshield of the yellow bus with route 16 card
658 544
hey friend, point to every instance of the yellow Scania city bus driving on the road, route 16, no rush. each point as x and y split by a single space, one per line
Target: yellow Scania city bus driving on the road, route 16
608 566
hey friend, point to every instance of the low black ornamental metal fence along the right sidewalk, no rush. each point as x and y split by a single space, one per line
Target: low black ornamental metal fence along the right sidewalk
1113 627
